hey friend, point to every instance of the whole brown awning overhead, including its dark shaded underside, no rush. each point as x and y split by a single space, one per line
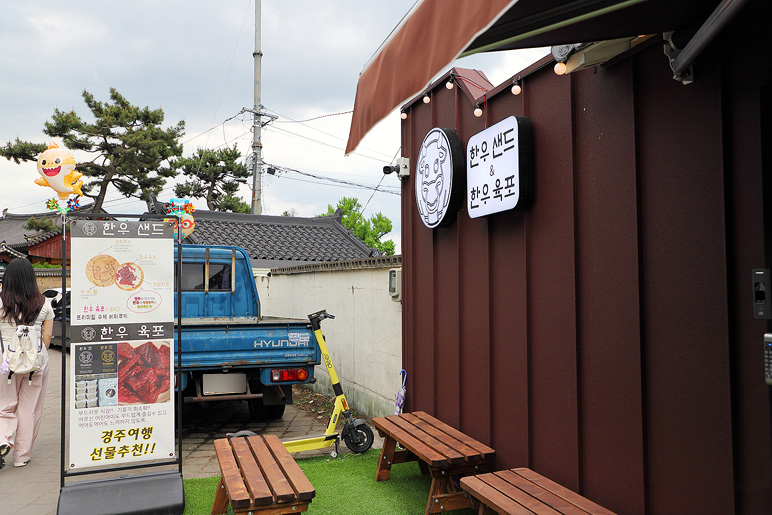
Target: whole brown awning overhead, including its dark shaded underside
436 32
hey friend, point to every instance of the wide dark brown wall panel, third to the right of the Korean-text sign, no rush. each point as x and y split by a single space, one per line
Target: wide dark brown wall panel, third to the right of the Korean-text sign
688 403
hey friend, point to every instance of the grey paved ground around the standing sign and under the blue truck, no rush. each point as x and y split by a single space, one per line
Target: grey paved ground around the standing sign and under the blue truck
39 480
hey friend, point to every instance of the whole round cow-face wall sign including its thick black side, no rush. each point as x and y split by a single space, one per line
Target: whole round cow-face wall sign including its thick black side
439 177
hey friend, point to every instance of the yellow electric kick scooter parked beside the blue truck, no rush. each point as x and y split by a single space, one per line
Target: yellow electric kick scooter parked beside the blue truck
357 435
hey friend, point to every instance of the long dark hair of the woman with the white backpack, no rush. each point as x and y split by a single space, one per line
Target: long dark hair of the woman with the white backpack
20 295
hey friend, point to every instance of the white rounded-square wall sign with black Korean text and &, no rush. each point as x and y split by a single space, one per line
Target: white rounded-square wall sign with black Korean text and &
493 169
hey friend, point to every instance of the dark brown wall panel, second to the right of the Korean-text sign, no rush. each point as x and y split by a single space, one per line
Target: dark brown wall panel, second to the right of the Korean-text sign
608 290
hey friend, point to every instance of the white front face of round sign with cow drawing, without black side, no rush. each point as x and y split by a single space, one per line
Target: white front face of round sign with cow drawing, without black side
434 178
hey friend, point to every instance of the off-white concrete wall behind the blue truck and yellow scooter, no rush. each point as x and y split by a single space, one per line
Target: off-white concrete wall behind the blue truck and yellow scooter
365 338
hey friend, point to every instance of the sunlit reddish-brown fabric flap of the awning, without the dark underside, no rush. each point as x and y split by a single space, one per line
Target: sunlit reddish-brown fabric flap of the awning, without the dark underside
430 39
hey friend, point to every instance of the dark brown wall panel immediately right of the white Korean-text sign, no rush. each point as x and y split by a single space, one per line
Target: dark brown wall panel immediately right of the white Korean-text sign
551 299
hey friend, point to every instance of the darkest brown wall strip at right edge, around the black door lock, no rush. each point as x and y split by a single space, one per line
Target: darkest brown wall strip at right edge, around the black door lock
745 150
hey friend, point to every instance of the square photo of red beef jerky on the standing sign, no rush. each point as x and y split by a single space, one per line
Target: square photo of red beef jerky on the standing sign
143 373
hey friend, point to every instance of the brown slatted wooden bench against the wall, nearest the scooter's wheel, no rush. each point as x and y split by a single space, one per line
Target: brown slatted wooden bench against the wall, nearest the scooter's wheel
442 451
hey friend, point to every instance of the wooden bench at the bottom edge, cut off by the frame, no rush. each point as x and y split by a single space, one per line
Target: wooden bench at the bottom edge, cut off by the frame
523 491
